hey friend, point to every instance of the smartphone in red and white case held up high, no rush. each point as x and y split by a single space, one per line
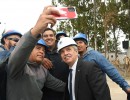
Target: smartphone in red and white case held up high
66 13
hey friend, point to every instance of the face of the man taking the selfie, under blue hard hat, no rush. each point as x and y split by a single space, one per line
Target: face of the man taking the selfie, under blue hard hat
37 54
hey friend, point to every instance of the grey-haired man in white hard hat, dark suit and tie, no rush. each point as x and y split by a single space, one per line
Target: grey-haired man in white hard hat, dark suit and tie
88 81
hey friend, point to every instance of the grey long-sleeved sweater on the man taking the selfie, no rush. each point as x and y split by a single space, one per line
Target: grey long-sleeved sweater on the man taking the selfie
26 79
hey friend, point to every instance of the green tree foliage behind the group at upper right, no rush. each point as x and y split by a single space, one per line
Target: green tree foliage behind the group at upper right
99 20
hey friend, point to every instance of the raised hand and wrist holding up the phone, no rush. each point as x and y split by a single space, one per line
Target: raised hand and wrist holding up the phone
45 18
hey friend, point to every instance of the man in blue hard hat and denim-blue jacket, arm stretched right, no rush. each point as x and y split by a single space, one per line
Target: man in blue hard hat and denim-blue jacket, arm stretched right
89 54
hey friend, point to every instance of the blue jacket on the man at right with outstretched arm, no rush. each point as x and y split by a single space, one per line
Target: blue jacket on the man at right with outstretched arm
106 66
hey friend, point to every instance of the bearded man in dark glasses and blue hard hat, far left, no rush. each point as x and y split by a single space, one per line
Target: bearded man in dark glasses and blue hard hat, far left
9 40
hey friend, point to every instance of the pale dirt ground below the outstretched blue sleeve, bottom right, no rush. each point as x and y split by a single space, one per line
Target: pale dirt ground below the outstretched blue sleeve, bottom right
116 92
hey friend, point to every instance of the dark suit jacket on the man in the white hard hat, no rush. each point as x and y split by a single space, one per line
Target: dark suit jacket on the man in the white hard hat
90 83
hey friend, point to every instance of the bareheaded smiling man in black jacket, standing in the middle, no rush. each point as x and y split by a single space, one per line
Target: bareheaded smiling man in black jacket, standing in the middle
59 69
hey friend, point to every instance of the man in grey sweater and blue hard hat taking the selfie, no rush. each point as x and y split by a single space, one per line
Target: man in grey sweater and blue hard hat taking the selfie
26 75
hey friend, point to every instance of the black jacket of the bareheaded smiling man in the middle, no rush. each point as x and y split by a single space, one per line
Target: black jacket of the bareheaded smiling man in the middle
60 70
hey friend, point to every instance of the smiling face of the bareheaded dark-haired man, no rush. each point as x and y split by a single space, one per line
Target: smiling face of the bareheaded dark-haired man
49 38
